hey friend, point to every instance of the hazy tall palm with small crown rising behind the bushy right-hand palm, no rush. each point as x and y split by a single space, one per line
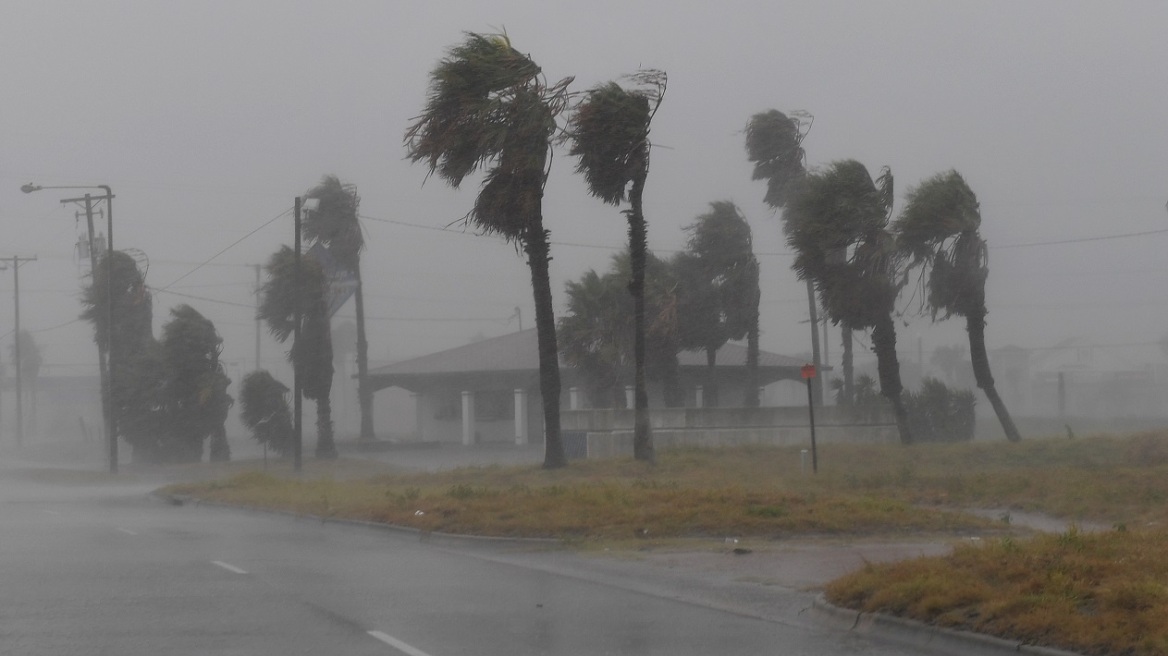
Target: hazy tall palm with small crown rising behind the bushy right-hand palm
775 145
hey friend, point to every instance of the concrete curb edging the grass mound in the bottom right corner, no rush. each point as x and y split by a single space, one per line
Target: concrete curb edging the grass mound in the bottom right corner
922 636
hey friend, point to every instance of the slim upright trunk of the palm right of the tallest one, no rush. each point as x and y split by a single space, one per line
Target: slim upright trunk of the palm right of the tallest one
643 441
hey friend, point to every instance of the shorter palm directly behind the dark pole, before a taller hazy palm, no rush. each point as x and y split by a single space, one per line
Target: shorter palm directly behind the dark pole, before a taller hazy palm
312 354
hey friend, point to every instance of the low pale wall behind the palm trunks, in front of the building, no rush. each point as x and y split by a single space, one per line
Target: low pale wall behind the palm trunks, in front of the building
610 432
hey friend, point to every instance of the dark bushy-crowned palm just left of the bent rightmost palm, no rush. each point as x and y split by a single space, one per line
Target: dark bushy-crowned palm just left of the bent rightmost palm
837 224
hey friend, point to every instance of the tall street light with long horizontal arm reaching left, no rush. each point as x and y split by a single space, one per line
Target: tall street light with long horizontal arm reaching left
105 351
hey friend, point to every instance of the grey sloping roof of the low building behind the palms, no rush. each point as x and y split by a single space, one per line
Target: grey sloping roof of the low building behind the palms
519 352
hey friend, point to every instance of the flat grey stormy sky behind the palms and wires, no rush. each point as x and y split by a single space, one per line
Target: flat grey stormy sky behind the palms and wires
208 118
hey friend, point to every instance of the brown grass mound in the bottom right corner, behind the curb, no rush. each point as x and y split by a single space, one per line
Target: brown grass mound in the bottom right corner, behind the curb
1095 594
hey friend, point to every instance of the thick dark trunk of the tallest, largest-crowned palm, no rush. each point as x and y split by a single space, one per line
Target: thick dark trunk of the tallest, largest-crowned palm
536 245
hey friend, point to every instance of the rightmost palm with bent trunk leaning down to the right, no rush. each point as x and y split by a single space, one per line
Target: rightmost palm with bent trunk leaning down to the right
940 231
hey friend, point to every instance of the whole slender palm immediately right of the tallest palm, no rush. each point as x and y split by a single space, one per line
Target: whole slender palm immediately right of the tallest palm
610 134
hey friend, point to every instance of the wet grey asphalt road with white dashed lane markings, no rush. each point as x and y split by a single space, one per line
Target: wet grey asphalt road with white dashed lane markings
103 569
